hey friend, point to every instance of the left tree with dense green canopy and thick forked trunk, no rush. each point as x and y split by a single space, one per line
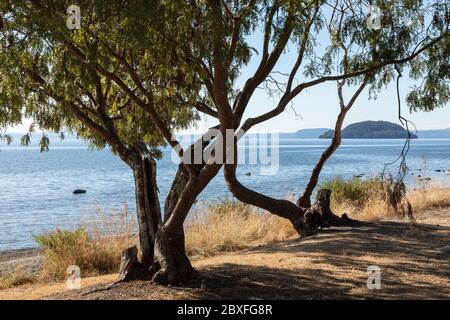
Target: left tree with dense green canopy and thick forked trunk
87 82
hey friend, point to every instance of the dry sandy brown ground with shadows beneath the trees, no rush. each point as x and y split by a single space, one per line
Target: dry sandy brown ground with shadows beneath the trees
414 261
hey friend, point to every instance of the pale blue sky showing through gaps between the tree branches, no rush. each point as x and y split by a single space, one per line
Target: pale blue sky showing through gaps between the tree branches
318 106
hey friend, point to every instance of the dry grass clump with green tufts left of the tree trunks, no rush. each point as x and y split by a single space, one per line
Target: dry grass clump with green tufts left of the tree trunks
95 248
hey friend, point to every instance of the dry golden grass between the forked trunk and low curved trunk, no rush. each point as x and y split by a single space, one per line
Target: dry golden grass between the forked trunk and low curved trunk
230 226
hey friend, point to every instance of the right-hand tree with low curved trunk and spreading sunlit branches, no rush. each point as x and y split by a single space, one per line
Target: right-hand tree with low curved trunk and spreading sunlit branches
413 34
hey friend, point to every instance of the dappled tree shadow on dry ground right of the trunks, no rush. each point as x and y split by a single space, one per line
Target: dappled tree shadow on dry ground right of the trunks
411 258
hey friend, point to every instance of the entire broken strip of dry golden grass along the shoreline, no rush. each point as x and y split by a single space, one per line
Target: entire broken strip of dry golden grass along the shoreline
214 229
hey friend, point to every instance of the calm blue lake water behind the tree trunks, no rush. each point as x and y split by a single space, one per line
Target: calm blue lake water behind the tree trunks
36 189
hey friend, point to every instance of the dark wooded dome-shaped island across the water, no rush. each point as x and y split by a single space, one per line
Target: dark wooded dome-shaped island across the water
371 130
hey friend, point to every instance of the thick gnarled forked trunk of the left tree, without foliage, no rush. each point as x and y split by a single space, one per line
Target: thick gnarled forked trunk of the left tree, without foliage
163 242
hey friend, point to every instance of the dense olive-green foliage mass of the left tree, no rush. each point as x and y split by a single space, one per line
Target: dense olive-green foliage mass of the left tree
42 78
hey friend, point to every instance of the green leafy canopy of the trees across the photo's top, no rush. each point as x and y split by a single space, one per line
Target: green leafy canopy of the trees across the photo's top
163 43
